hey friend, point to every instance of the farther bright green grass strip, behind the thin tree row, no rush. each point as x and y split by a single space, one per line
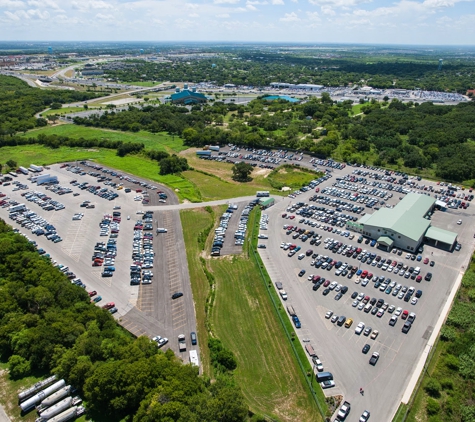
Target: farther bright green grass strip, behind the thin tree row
159 141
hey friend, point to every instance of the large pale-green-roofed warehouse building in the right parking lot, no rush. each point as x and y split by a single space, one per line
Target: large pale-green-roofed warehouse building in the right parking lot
405 226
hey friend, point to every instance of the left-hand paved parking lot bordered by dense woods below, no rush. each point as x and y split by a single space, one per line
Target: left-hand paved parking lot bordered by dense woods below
143 309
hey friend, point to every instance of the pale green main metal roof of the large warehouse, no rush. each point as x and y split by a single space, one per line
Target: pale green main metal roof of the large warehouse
406 218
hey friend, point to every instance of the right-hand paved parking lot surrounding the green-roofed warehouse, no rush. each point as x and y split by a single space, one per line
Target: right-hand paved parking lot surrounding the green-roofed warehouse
340 348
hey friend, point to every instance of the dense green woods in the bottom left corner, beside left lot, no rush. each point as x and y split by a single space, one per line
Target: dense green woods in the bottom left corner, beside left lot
48 325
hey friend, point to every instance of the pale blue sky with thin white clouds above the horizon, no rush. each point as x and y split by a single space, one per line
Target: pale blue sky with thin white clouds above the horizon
428 22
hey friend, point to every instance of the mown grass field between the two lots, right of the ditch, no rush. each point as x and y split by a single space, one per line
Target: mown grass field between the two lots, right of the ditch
244 319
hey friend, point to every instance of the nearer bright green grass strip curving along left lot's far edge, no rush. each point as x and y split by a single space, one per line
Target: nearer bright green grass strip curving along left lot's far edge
133 164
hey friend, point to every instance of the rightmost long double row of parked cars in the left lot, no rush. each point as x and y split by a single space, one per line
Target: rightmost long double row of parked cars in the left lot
142 251
